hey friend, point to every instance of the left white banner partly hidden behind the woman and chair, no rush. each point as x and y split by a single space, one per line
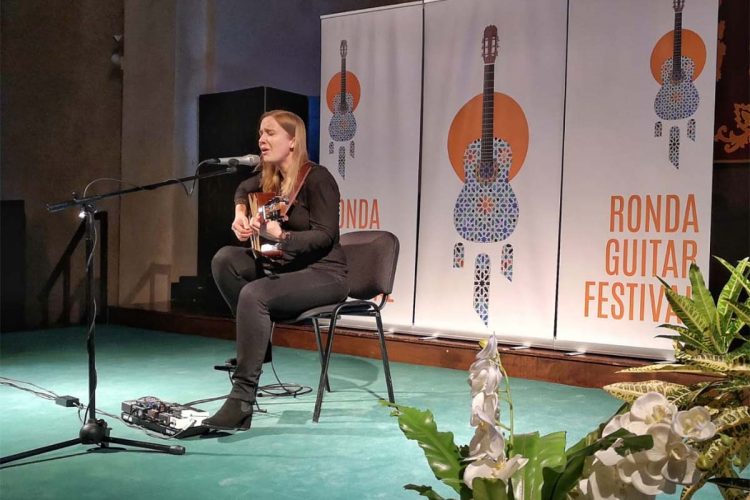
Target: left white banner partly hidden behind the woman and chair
369 139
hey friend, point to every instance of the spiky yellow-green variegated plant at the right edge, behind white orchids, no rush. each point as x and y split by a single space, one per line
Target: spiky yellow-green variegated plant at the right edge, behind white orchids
713 340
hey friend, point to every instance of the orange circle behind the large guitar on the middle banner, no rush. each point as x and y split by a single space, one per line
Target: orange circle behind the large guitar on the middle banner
509 123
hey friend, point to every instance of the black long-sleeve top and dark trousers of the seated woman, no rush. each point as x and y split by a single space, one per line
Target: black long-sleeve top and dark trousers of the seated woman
311 272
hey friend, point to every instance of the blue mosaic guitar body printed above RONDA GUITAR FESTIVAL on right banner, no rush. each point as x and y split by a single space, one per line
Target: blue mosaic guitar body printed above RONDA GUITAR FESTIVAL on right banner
677 100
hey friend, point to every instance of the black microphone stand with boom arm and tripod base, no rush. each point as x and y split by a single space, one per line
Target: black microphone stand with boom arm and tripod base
96 431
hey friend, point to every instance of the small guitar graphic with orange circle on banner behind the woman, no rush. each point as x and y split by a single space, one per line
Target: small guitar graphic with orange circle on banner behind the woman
342 97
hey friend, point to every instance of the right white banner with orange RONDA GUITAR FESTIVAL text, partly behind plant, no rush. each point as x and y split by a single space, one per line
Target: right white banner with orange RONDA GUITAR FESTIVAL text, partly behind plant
638 165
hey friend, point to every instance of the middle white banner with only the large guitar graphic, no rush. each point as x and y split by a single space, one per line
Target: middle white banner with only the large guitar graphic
491 182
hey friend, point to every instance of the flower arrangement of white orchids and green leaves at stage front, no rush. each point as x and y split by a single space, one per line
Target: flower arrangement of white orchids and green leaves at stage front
665 435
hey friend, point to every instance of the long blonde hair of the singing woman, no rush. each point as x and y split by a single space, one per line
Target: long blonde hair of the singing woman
271 179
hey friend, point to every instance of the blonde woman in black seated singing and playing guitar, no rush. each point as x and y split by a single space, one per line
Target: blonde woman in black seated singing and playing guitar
310 272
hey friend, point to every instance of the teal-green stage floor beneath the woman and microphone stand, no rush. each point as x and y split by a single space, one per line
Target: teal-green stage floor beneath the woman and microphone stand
356 451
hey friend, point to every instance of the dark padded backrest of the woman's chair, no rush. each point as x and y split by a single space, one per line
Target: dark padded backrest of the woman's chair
371 257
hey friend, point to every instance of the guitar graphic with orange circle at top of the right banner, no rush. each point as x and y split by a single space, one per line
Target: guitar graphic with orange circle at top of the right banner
678 97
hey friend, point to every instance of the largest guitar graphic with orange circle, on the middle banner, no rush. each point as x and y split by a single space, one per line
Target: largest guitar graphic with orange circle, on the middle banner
487 209
